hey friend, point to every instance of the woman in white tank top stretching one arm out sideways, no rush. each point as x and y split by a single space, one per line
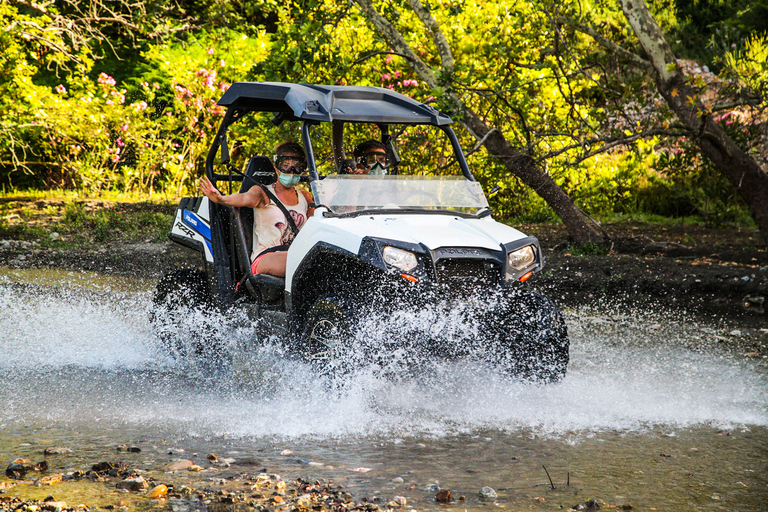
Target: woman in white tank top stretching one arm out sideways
272 233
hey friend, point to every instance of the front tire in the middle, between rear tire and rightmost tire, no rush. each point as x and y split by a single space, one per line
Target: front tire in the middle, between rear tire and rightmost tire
327 336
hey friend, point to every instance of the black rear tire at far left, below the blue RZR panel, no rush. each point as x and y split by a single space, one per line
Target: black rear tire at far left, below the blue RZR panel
180 296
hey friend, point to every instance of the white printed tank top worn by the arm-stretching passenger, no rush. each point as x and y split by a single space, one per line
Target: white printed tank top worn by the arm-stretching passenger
270 227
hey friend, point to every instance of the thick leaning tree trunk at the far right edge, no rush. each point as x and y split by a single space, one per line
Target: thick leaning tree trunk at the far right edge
750 180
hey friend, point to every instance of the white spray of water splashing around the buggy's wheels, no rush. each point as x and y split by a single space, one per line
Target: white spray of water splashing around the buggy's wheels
74 357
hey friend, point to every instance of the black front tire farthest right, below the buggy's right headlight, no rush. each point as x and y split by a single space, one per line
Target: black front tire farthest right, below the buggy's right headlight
532 342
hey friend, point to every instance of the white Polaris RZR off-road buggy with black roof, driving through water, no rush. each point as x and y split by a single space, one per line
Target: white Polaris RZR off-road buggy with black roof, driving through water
419 238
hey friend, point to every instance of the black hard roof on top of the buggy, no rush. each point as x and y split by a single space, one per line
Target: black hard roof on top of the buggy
327 103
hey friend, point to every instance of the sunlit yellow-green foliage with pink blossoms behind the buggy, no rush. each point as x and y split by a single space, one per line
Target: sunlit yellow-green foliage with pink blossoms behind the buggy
83 118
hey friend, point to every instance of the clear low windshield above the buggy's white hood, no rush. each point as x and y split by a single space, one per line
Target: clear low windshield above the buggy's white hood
350 193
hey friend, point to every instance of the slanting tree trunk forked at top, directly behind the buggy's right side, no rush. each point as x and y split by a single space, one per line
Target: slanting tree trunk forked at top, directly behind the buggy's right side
580 229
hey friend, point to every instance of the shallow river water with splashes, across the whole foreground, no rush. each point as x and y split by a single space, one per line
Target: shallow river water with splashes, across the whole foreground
654 412
